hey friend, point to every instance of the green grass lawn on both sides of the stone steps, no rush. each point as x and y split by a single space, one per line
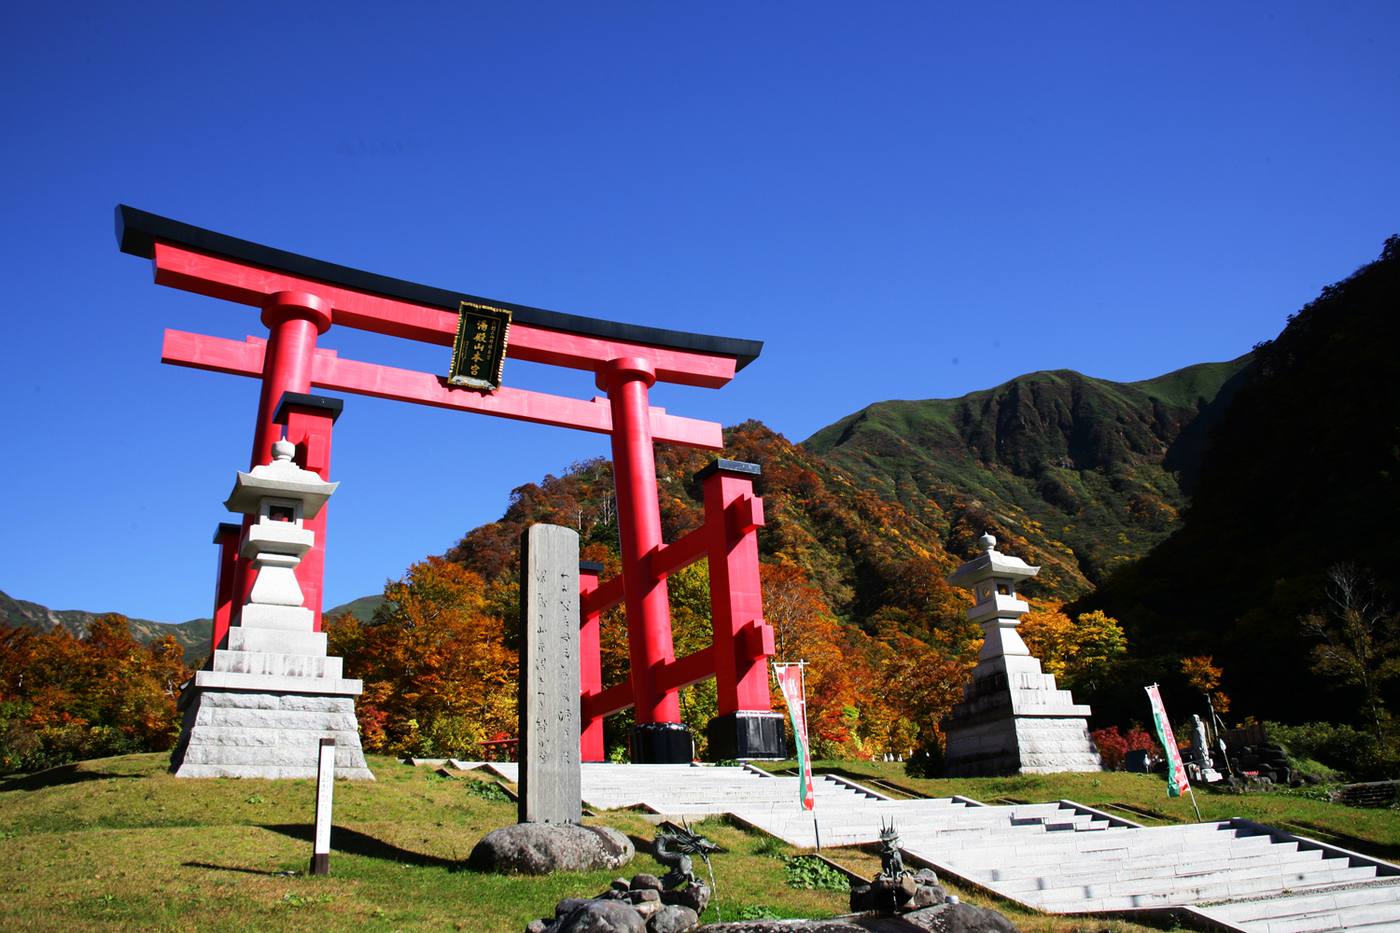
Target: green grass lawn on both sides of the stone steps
120 844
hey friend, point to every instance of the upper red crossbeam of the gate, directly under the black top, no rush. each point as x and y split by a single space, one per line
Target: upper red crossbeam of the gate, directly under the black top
243 284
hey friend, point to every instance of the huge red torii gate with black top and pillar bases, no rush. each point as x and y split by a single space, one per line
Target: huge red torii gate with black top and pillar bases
302 298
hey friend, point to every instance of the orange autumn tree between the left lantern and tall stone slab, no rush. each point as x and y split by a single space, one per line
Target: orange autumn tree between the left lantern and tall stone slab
439 663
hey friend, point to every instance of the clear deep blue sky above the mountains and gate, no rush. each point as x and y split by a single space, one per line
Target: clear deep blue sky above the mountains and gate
948 195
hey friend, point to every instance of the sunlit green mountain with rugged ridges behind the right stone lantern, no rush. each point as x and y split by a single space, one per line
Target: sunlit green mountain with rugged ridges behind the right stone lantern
1086 473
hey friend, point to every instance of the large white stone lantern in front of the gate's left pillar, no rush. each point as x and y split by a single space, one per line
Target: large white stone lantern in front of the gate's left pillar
272 694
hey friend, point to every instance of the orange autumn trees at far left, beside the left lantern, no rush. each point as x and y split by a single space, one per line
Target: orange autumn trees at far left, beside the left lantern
66 698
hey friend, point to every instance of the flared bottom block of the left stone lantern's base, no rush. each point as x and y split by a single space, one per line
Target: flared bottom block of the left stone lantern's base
276 735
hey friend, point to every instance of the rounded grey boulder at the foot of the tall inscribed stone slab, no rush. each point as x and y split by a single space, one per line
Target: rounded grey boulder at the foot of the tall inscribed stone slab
540 848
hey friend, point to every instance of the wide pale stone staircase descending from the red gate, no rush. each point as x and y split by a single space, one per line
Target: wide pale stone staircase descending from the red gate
1059 858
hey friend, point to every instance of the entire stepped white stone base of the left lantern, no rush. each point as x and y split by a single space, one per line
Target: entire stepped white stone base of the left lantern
265 707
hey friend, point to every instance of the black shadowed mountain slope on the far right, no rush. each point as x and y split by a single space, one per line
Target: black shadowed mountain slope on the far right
1303 474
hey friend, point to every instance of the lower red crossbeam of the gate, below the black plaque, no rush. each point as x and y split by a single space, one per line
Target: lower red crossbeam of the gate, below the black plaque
331 372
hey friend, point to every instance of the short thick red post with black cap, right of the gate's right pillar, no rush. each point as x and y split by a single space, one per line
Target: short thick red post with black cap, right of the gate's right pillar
743 640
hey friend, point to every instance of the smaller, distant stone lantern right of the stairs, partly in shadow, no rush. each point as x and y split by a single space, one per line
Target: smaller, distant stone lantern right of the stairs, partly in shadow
1013 718
